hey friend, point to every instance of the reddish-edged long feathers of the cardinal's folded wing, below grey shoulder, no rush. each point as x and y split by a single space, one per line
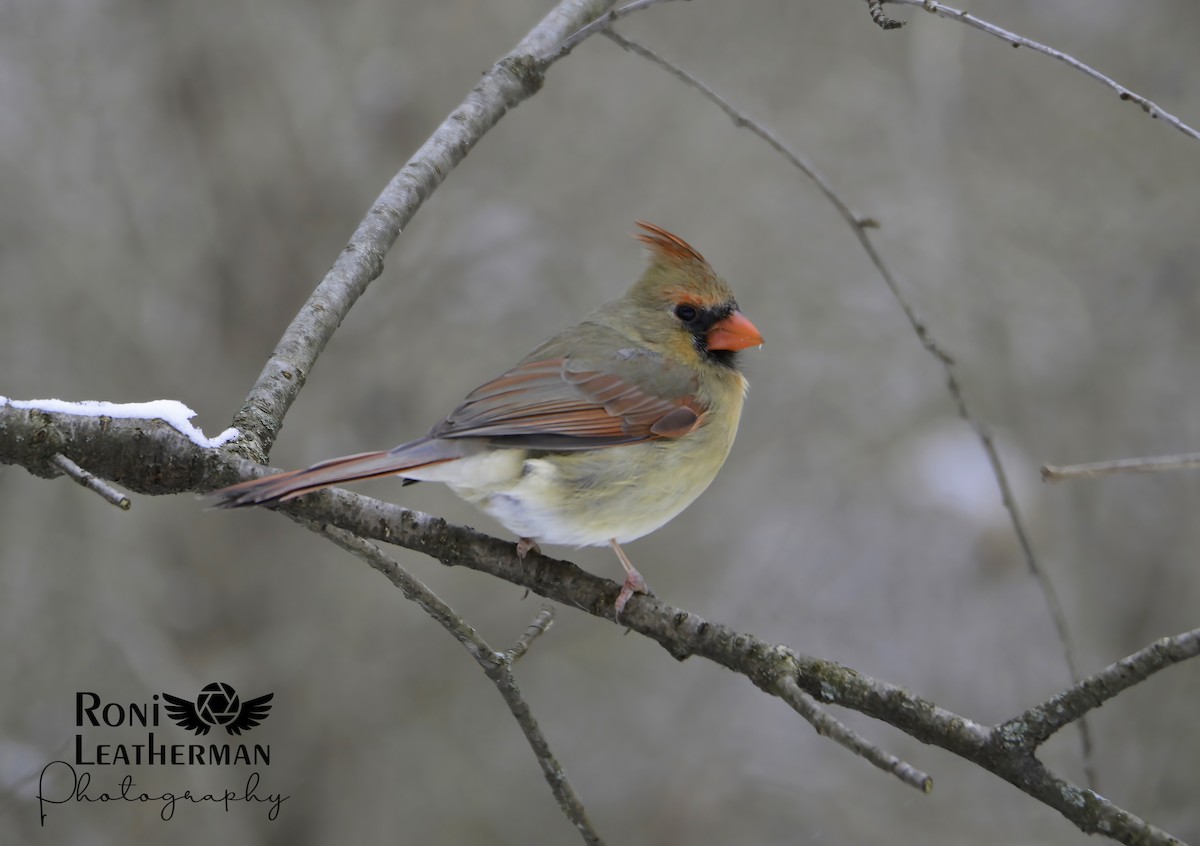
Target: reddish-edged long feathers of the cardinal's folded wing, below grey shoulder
565 409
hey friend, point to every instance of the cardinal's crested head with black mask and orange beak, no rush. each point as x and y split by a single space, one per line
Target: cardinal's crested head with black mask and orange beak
683 304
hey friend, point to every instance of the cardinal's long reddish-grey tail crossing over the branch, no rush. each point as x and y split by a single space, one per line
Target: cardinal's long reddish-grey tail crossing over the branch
285 487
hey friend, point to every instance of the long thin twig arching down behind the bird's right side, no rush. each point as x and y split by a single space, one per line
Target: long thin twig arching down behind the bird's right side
861 227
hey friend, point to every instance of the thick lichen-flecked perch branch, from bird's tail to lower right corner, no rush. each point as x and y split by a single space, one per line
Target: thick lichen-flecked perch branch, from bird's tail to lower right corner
776 670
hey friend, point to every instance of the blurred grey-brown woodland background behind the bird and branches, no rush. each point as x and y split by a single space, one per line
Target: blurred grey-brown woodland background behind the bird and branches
177 179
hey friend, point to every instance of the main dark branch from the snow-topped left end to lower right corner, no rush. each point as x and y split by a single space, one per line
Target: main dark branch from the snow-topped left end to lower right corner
153 458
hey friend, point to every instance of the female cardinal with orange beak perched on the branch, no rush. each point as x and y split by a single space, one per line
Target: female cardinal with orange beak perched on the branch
602 435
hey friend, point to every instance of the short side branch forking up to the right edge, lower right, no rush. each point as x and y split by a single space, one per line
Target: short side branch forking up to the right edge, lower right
1043 721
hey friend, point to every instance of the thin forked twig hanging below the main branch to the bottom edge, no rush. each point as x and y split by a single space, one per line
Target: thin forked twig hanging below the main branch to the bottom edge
497 667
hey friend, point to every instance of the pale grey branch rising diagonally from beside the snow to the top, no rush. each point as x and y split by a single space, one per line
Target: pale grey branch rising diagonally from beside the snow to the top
512 81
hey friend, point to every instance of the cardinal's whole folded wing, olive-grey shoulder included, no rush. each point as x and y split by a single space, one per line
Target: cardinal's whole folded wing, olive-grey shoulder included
572 404
